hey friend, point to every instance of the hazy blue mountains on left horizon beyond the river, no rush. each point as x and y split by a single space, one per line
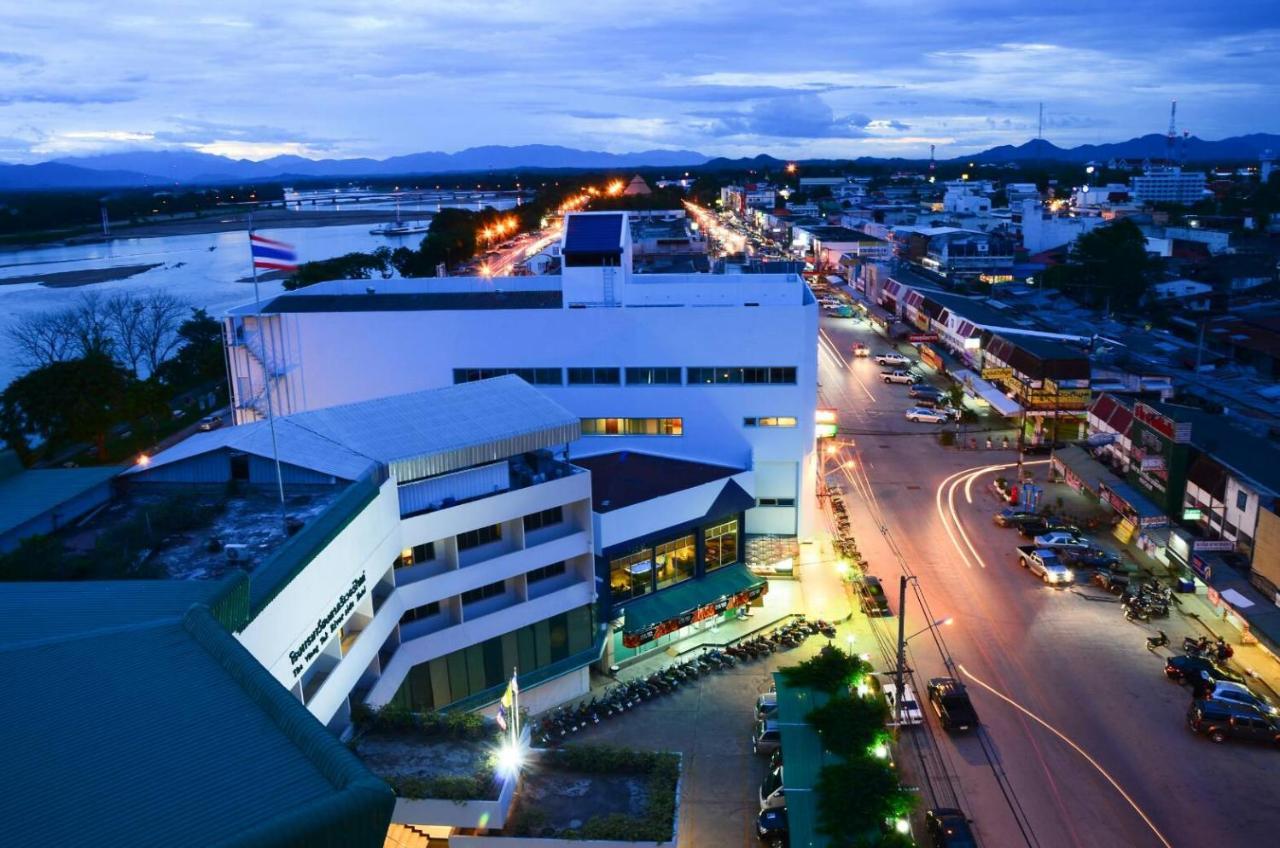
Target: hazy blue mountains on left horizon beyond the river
191 167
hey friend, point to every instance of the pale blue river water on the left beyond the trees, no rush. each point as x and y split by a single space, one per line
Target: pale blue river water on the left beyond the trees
202 268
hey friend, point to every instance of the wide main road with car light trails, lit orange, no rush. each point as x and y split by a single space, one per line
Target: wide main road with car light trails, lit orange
1084 742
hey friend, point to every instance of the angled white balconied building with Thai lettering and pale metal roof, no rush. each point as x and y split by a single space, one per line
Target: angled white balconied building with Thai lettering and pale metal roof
445 541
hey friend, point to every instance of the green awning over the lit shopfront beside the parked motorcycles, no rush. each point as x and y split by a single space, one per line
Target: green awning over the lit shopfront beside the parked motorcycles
691 601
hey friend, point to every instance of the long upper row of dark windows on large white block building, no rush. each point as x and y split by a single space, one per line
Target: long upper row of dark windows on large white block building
652 376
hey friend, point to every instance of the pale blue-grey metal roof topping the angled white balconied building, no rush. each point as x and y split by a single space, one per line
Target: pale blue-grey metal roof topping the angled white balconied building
417 435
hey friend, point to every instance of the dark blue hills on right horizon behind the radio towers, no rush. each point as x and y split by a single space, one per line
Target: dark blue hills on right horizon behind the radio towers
1155 147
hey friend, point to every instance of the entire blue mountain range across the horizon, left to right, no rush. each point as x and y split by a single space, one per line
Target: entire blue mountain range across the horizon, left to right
162 168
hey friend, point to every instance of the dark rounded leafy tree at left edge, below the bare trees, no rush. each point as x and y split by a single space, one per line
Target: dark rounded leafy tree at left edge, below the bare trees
77 400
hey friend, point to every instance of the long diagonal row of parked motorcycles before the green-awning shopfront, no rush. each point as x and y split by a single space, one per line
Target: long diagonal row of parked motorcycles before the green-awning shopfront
566 721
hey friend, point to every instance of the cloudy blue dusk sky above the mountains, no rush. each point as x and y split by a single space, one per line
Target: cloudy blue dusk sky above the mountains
345 79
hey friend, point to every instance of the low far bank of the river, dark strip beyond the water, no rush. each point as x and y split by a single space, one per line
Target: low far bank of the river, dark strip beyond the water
222 222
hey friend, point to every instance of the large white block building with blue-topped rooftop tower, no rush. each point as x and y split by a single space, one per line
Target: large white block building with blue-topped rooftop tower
710 368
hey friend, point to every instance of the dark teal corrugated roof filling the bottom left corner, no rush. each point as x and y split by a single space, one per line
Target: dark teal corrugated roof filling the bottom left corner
168 732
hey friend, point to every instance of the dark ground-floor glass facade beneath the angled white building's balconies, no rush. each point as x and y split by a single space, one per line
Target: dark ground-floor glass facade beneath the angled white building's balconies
437 685
